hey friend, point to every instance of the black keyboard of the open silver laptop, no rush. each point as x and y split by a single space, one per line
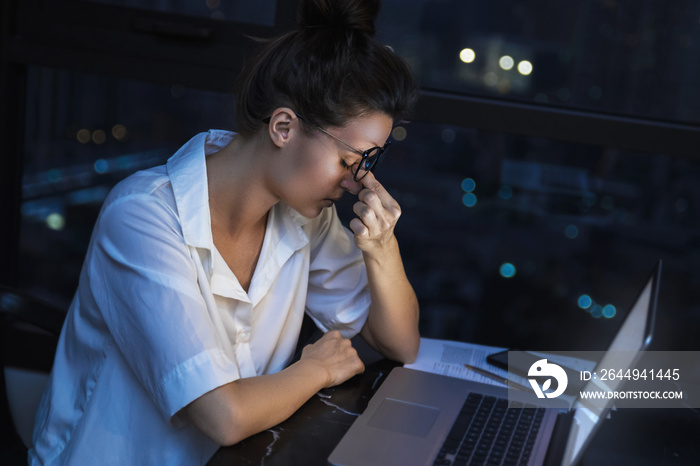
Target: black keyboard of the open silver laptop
487 432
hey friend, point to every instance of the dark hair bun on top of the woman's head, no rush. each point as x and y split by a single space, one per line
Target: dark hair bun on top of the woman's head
341 14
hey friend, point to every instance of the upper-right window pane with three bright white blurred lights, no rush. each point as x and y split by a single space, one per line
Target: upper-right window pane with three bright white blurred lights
623 57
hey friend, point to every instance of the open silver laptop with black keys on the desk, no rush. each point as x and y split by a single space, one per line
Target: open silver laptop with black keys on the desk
421 418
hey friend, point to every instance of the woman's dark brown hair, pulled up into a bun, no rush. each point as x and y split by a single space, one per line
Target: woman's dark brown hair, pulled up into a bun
329 69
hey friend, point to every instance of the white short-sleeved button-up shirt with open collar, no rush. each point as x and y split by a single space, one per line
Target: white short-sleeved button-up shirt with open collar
159 319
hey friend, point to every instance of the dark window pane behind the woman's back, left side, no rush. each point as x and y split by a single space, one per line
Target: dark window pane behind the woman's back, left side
84 133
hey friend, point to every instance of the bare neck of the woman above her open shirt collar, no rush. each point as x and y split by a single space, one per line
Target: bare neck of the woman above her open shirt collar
238 198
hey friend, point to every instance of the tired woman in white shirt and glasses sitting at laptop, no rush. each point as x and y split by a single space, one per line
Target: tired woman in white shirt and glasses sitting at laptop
199 272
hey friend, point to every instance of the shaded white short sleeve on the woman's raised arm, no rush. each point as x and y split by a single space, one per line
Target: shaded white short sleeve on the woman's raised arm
338 296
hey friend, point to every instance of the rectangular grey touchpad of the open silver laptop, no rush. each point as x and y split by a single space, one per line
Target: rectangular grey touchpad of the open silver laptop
403 417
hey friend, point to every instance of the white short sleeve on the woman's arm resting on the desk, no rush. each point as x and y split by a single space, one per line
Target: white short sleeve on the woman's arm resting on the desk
144 282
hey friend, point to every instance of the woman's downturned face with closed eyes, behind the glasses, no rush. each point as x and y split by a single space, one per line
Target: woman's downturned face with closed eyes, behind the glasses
320 168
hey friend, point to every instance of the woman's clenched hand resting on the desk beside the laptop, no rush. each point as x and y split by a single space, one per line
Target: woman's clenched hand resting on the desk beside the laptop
336 355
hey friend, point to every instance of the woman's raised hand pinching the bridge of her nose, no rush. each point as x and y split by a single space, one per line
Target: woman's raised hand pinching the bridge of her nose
377 213
